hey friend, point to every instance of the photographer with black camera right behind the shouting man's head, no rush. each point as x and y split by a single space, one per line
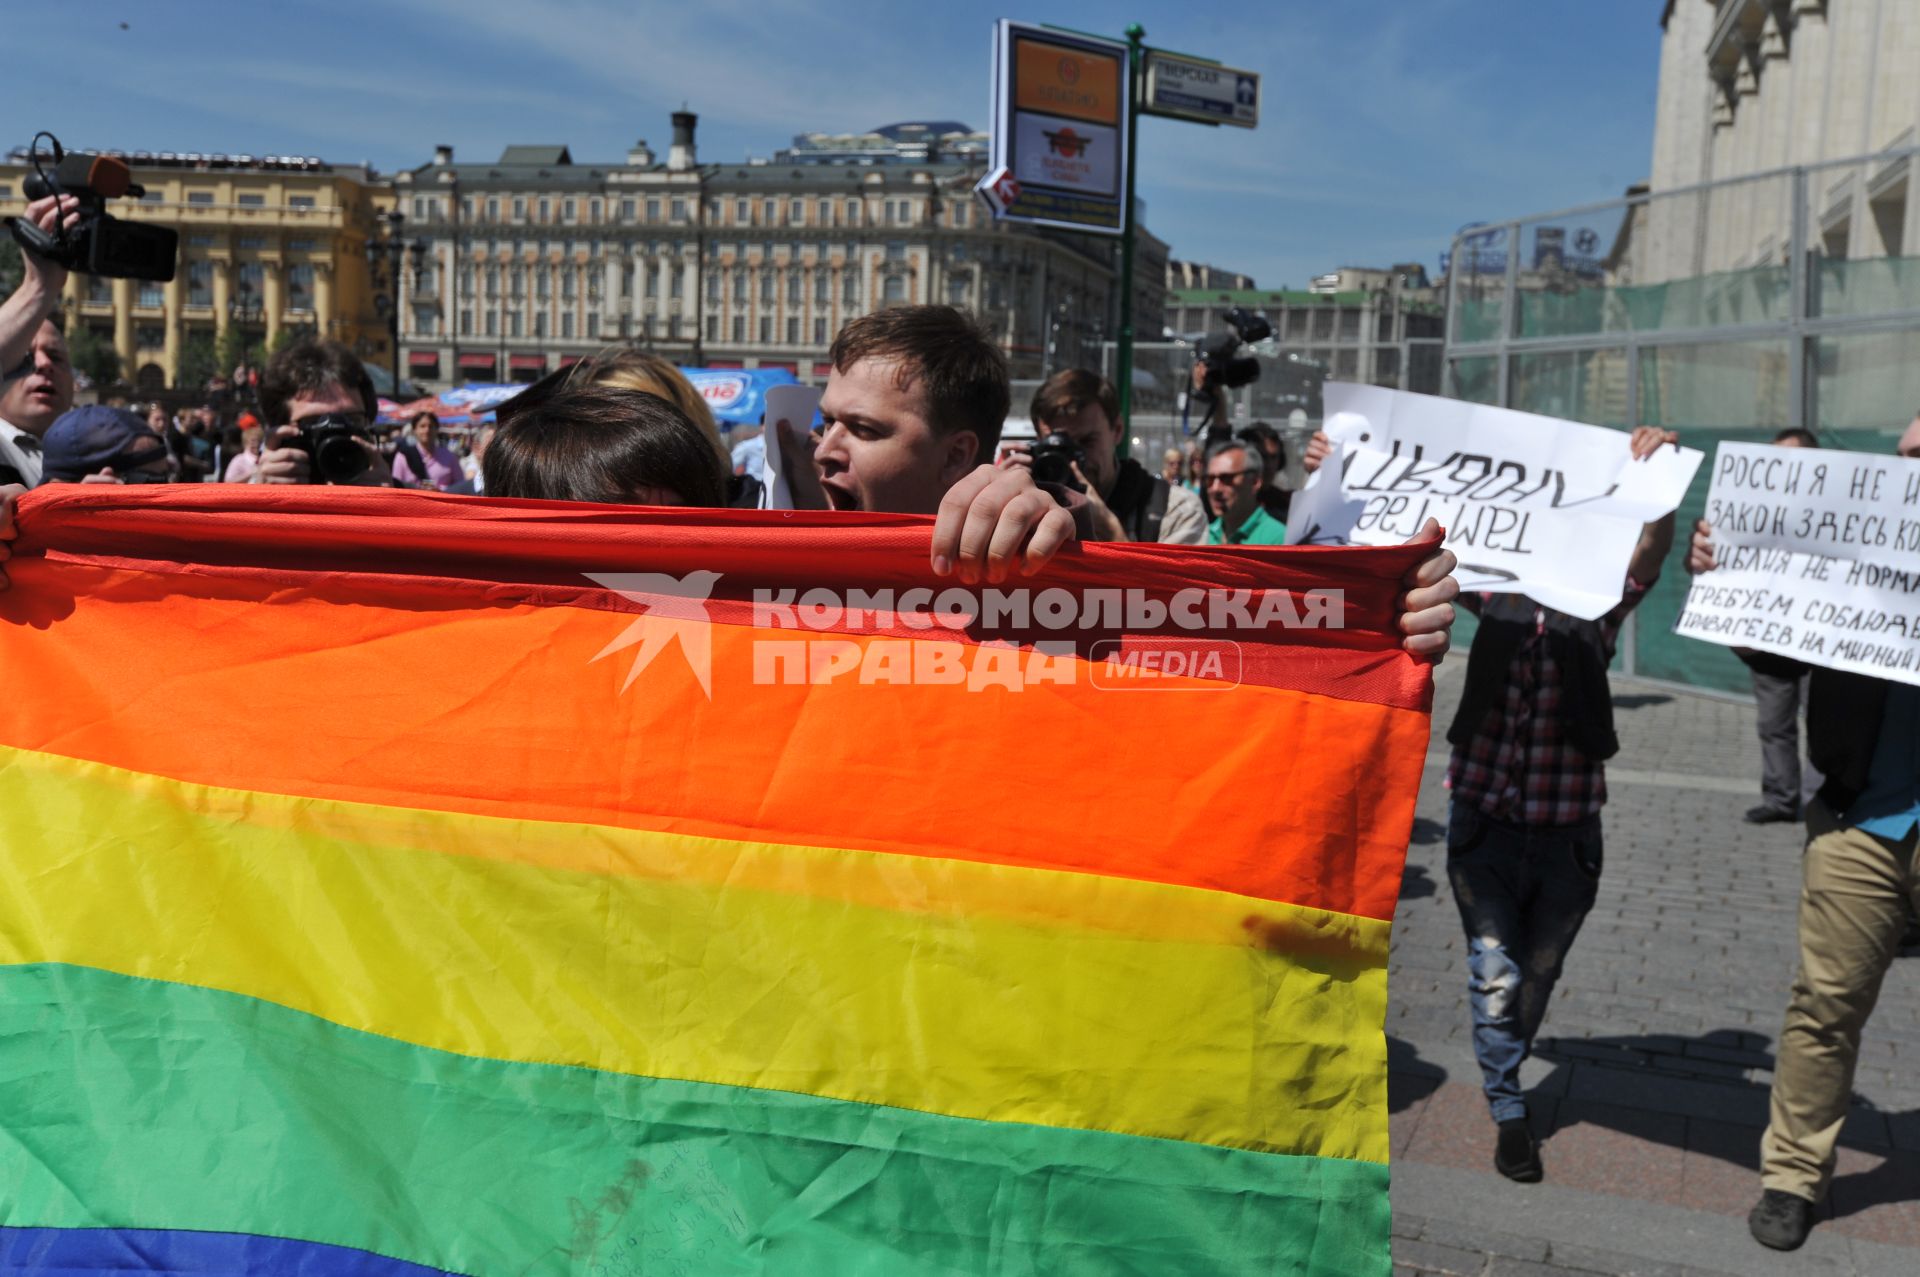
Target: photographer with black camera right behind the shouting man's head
1078 418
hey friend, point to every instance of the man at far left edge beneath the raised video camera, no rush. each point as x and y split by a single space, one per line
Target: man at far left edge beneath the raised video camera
36 377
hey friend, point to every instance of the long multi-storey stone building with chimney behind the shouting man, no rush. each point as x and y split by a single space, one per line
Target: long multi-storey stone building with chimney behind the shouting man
539 258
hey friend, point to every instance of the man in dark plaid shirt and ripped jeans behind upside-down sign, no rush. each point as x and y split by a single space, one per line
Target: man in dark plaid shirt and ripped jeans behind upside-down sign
1524 834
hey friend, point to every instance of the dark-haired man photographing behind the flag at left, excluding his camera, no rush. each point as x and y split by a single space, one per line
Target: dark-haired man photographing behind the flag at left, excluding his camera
308 383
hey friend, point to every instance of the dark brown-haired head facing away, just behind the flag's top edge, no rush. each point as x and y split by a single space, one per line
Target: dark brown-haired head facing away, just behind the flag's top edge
596 443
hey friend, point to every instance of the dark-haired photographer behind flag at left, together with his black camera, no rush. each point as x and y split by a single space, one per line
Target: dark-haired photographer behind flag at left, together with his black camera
320 408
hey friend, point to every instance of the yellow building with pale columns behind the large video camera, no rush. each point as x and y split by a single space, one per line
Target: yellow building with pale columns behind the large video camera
266 245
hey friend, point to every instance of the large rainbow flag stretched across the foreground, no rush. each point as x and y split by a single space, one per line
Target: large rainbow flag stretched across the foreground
412 884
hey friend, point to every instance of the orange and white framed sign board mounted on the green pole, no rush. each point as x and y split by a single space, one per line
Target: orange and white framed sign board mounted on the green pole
1061 107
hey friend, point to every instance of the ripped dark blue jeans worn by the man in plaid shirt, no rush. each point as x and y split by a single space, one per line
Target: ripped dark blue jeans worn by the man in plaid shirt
1524 894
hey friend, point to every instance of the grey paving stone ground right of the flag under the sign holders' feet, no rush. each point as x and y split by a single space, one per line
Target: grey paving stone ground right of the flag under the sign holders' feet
1654 1065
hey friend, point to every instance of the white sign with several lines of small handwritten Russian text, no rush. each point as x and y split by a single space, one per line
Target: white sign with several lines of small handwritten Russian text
1819 560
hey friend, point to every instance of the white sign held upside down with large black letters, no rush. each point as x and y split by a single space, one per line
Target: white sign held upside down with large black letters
1531 504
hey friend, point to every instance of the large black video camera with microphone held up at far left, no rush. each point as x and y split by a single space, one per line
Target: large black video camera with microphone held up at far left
97 243
